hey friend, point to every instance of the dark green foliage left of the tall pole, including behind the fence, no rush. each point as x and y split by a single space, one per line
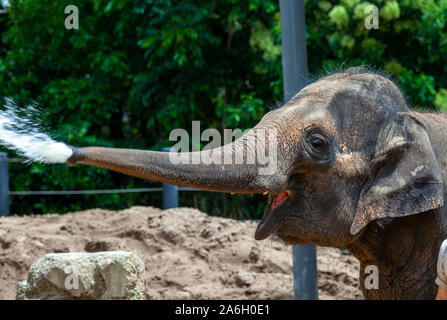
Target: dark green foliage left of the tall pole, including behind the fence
134 71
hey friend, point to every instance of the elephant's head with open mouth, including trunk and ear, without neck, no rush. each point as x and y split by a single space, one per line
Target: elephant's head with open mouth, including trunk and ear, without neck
348 151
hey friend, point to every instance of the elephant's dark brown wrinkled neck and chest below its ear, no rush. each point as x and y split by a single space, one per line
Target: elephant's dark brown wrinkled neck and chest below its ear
405 252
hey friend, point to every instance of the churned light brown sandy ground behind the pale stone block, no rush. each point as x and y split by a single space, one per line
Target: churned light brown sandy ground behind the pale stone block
188 254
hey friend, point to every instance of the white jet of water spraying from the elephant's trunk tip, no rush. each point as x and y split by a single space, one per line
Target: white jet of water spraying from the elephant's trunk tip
22 134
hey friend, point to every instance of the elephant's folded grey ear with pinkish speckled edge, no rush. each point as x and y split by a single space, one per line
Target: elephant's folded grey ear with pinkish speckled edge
407 177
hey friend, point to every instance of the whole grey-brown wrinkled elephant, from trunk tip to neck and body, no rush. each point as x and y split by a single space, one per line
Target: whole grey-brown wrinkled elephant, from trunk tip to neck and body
361 169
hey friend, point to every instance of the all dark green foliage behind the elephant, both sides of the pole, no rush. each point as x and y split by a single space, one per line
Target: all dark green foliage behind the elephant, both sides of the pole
136 69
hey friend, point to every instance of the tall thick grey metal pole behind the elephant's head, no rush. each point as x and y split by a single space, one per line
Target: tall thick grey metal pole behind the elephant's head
294 66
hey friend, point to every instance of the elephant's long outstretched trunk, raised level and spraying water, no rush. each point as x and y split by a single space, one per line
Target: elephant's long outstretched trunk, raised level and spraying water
247 165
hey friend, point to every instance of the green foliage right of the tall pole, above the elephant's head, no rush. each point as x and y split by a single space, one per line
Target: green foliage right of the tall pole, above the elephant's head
410 44
